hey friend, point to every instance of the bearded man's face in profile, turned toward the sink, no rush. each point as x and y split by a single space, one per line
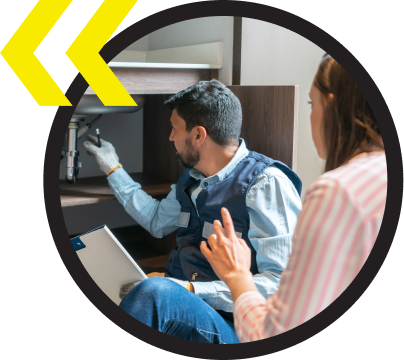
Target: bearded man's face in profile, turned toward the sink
188 156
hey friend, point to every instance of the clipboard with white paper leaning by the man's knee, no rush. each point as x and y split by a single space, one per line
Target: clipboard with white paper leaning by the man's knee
106 261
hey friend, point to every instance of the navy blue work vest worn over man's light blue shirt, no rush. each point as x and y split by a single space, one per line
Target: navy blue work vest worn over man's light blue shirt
186 262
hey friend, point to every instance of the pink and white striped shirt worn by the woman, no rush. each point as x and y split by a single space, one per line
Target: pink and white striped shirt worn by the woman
335 232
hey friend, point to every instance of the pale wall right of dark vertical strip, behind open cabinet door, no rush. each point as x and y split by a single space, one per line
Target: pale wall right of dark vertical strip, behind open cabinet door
273 55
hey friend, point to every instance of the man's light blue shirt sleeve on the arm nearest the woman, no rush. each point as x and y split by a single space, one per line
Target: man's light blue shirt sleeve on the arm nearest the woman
273 204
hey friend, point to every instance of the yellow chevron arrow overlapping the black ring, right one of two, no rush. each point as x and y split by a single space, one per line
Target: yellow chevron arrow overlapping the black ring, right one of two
84 52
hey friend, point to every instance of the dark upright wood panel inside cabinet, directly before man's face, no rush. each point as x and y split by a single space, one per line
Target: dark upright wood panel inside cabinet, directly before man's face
159 157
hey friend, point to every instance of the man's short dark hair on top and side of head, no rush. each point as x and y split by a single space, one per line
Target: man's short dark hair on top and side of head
212 105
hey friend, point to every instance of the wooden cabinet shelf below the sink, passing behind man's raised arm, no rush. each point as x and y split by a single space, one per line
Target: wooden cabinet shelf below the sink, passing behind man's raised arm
92 190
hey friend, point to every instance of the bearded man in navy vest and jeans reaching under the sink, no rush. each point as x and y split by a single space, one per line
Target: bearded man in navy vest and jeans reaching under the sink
262 195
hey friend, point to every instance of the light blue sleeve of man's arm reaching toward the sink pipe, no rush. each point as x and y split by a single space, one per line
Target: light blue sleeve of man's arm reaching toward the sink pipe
157 217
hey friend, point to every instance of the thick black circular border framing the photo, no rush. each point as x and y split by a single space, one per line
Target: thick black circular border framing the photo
388 227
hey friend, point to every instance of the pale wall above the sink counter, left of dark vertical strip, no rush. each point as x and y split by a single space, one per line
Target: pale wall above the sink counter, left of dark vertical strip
199 31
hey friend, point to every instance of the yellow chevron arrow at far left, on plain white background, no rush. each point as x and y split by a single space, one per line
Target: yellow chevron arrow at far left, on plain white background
19 52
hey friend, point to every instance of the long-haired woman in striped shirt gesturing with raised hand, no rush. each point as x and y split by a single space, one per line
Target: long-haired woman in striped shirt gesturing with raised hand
337 227
